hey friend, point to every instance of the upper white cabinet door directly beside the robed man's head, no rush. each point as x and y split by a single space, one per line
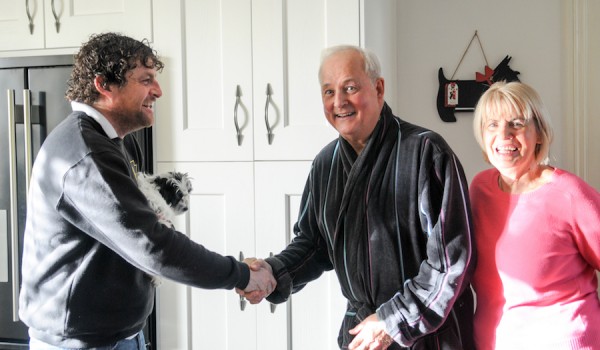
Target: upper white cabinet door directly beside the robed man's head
287 40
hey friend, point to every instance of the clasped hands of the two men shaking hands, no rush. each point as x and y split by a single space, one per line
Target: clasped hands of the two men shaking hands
261 284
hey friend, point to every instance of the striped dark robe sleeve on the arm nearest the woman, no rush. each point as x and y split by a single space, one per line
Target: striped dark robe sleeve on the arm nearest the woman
444 215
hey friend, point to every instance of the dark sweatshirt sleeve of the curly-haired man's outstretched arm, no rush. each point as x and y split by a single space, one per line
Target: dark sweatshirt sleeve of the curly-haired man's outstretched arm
101 199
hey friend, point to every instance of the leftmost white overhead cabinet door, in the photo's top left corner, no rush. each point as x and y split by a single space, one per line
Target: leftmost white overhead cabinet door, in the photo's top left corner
17 32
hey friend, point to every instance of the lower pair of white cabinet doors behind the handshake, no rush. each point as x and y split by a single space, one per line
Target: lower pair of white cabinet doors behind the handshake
229 203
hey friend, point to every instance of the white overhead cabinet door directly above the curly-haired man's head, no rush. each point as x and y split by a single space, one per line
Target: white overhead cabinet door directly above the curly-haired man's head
70 22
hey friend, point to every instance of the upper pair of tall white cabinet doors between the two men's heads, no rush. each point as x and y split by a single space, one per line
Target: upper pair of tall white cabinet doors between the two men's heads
251 89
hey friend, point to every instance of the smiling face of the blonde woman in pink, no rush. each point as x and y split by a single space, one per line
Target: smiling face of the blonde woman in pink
510 142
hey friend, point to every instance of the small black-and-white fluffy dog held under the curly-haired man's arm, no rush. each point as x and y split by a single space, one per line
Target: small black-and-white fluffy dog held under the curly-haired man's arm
168 194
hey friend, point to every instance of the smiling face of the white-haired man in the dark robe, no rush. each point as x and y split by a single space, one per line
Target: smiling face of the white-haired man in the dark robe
352 102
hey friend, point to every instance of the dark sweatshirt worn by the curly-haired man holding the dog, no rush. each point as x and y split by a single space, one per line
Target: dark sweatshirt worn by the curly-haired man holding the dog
91 239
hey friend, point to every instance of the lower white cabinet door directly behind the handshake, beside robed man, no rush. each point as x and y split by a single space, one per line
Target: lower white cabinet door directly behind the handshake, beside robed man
311 318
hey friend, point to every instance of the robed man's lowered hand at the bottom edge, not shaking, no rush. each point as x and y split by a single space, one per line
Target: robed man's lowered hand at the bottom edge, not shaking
370 335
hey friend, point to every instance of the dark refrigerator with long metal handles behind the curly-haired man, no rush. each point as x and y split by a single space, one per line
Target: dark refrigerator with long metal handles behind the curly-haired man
32 103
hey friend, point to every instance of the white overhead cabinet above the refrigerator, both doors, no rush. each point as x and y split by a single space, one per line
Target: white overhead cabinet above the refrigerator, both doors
45 24
